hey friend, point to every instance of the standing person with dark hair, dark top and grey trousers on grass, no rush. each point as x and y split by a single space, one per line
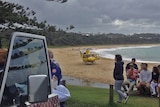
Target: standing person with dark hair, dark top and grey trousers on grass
119 78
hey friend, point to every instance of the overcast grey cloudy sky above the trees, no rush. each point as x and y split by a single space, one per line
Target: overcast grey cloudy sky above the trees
104 16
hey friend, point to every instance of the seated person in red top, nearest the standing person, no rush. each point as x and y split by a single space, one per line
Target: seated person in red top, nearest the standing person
132 75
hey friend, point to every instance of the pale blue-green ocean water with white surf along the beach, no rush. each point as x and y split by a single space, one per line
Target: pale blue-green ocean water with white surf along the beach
150 54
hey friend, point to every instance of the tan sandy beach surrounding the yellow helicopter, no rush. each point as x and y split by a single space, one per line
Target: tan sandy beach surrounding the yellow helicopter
101 71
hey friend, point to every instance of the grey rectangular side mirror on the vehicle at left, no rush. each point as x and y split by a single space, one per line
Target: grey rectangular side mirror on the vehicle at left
37 88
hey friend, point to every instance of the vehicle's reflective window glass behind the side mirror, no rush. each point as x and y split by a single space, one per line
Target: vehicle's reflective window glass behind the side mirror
28 57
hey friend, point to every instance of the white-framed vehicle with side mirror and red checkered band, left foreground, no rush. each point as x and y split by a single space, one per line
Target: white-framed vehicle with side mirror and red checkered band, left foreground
25 80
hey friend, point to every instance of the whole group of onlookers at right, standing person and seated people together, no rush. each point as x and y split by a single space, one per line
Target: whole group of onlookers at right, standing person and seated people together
146 82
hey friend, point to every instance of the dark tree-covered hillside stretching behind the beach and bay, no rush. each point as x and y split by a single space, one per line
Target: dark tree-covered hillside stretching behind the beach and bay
15 17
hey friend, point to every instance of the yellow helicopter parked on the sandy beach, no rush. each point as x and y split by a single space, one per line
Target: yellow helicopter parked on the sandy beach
89 56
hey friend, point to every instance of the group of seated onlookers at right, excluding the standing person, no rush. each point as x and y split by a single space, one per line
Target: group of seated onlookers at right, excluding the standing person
146 82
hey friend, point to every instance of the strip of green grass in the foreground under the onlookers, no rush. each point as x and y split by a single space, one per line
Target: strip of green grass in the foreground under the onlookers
97 97
